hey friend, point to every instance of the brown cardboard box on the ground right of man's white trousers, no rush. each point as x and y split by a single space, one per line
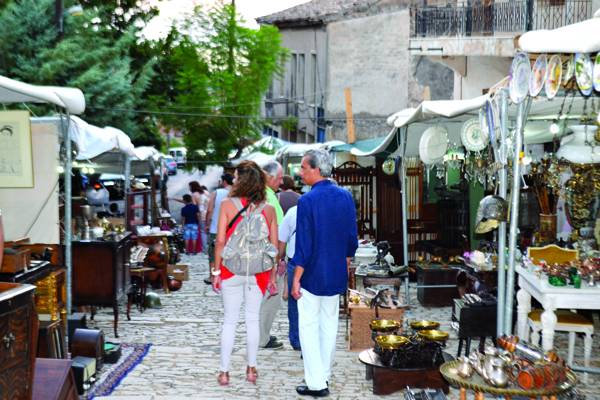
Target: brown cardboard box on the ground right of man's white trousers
360 318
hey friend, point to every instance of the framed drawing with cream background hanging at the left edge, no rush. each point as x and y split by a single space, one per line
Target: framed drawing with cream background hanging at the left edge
16 163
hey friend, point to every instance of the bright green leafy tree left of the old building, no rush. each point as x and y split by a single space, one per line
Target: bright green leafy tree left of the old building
225 68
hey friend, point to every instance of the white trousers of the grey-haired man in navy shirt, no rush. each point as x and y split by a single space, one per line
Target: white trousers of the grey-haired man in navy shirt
318 324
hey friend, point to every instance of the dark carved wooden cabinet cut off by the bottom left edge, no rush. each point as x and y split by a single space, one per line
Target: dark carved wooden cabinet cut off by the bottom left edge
18 340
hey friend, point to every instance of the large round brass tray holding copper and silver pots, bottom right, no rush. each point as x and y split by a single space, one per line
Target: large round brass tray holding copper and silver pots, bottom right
476 383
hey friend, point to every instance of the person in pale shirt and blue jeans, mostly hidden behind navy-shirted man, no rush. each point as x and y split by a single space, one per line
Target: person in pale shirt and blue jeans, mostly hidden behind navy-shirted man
287 245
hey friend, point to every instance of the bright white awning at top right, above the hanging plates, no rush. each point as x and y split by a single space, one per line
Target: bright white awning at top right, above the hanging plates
582 37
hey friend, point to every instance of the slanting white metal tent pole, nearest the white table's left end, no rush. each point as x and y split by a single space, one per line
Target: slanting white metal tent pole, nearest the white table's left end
523 110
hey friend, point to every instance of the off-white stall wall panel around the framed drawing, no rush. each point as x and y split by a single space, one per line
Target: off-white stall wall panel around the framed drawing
21 206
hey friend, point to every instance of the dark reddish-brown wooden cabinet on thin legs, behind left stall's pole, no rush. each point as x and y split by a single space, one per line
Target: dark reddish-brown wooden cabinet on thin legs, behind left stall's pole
101 273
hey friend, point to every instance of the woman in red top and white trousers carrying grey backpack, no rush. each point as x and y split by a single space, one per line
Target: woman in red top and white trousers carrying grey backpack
232 273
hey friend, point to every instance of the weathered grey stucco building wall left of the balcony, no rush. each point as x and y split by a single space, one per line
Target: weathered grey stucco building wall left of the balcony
370 56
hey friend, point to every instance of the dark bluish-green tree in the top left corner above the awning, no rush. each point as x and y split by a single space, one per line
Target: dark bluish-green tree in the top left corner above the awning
86 57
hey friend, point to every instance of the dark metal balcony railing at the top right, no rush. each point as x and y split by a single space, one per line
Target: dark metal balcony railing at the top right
487 18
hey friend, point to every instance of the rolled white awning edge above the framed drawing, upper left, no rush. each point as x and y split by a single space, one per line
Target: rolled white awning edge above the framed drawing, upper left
70 99
